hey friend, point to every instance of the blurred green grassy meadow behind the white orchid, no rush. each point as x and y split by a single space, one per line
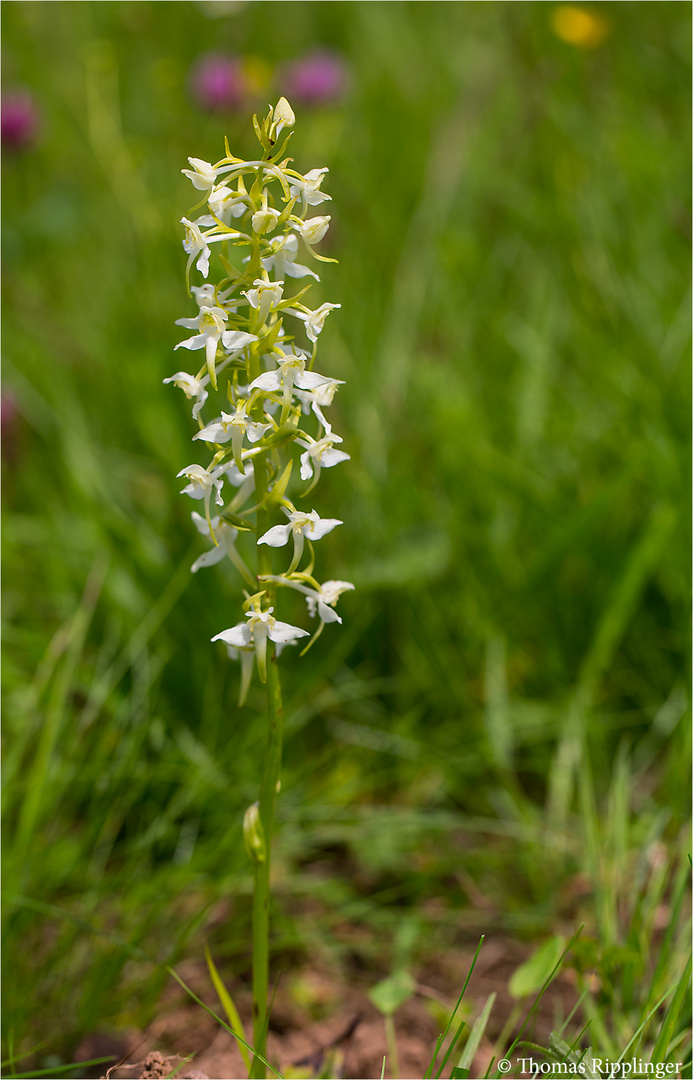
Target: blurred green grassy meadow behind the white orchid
506 708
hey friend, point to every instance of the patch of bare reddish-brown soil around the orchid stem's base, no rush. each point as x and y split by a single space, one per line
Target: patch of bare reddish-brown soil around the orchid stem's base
321 1025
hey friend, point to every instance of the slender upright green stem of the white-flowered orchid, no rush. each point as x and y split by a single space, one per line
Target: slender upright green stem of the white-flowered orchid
269 789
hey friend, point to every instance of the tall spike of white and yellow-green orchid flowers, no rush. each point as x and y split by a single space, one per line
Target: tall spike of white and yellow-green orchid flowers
263 428
